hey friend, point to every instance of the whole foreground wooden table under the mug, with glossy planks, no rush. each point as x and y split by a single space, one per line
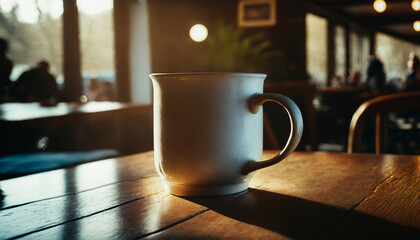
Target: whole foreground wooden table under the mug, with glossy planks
308 195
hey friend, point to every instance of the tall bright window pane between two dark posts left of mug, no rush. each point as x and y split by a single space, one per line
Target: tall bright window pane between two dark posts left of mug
97 48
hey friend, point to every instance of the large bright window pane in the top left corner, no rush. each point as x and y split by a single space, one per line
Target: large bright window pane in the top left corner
33 30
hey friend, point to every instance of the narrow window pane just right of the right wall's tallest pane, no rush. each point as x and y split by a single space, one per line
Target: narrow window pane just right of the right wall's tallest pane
340 52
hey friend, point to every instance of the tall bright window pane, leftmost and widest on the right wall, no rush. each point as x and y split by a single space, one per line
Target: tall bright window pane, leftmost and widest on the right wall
316 48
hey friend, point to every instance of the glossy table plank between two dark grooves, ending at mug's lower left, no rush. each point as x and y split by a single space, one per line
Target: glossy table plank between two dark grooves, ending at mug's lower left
57 211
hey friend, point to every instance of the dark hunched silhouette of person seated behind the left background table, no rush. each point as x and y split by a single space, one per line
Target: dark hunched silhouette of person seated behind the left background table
36 84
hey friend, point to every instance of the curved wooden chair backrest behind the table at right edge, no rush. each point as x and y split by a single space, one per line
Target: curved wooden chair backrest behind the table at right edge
398 102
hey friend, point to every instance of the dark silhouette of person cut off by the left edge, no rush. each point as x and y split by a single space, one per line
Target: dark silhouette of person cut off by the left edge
6 66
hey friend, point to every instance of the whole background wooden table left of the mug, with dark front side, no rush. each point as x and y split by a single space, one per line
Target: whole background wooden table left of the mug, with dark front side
126 127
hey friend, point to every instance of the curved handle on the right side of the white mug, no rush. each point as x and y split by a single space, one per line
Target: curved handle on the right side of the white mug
296 126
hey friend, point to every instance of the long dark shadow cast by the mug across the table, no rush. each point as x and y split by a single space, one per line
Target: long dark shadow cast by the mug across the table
299 218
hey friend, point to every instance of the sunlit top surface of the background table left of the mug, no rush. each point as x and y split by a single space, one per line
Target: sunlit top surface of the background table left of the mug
35 115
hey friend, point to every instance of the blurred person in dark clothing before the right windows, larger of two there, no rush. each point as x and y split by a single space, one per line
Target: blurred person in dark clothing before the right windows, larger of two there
375 79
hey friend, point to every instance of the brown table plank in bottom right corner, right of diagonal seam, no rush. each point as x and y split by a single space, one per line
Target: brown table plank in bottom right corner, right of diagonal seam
393 208
